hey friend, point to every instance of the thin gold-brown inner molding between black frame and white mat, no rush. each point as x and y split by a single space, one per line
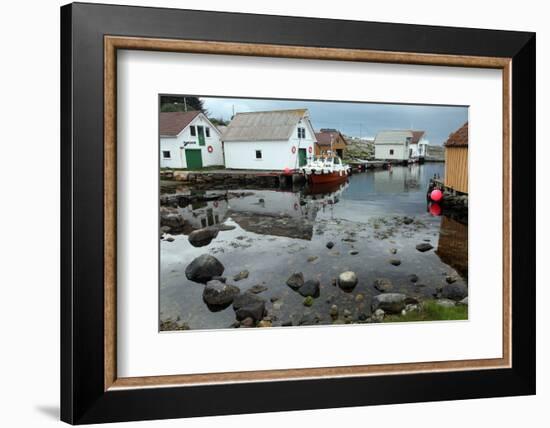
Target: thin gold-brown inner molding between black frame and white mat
113 43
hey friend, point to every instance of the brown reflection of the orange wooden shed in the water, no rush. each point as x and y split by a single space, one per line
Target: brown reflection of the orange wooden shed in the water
452 248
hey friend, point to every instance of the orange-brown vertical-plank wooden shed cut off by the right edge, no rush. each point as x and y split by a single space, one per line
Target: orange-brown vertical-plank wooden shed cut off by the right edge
456 160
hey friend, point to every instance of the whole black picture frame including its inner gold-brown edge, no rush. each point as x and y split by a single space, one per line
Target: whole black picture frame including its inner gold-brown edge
91 392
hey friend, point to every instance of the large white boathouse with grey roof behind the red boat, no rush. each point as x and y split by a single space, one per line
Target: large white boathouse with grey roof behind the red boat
269 140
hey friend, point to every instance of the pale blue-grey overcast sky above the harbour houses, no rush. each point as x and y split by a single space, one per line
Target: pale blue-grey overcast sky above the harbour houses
355 119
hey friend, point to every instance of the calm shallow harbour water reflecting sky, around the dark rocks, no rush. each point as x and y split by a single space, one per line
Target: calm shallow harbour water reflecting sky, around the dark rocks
279 232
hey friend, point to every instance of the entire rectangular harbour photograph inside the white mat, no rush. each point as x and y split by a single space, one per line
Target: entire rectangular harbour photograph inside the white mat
294 213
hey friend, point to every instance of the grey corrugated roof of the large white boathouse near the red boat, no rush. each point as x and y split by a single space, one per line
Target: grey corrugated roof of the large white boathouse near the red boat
263 125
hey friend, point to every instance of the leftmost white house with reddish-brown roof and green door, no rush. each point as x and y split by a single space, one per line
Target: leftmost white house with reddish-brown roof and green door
189 140
